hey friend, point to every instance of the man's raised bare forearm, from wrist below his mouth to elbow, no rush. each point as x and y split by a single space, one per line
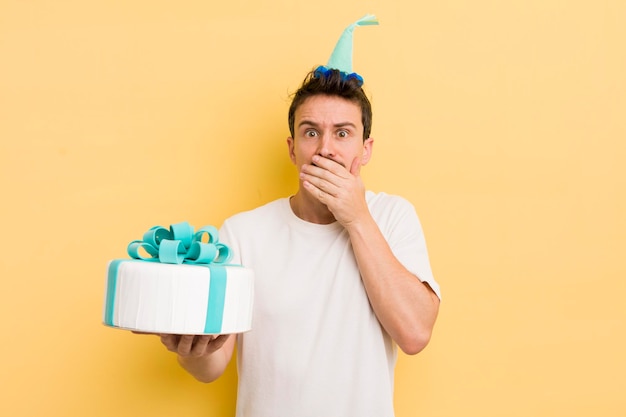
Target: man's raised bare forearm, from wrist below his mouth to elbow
406 307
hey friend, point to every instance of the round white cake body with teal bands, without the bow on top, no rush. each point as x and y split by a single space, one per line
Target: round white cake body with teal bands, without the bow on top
153 297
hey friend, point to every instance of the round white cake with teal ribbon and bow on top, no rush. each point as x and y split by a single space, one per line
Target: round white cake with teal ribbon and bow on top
179 282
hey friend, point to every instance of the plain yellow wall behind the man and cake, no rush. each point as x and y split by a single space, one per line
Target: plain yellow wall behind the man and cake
504 122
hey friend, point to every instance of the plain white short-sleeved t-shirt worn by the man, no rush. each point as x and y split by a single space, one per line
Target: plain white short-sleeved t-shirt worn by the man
316 347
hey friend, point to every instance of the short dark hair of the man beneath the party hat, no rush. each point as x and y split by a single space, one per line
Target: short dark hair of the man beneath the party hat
332 83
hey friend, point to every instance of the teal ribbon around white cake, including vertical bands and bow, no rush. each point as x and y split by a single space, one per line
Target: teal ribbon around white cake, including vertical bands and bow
181 245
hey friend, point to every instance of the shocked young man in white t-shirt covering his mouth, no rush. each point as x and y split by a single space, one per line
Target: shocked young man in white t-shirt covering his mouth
342 275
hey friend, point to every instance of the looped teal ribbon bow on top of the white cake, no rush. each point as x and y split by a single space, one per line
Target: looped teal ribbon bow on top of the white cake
180 245
